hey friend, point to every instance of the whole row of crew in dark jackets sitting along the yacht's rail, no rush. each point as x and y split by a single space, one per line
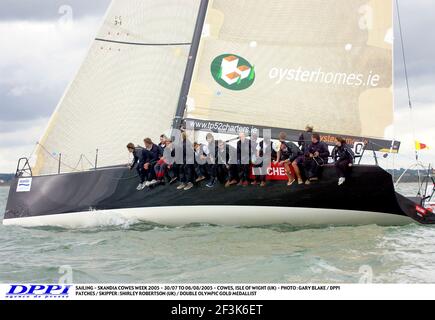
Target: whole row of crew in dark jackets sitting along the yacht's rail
213 162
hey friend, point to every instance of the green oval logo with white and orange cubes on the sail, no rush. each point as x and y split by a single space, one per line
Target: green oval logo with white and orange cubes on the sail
233 72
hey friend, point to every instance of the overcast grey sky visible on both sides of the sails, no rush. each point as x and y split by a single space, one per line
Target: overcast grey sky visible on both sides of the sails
35 75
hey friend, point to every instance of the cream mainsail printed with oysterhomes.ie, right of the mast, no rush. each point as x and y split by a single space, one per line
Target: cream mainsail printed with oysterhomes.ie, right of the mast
289 63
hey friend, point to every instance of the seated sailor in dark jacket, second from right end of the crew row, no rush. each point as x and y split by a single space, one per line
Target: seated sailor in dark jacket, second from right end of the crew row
316 156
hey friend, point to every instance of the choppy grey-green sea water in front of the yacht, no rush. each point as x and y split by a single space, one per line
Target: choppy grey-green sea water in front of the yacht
145 253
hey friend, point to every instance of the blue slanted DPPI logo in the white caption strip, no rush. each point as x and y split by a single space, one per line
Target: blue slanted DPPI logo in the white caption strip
38 291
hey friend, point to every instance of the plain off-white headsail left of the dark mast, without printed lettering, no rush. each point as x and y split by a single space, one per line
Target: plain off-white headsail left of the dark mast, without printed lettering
127 88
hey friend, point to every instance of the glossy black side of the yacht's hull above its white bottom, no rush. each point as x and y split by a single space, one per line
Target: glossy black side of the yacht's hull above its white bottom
369 189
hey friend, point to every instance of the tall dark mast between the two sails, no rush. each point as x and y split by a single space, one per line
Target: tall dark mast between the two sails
179 113
